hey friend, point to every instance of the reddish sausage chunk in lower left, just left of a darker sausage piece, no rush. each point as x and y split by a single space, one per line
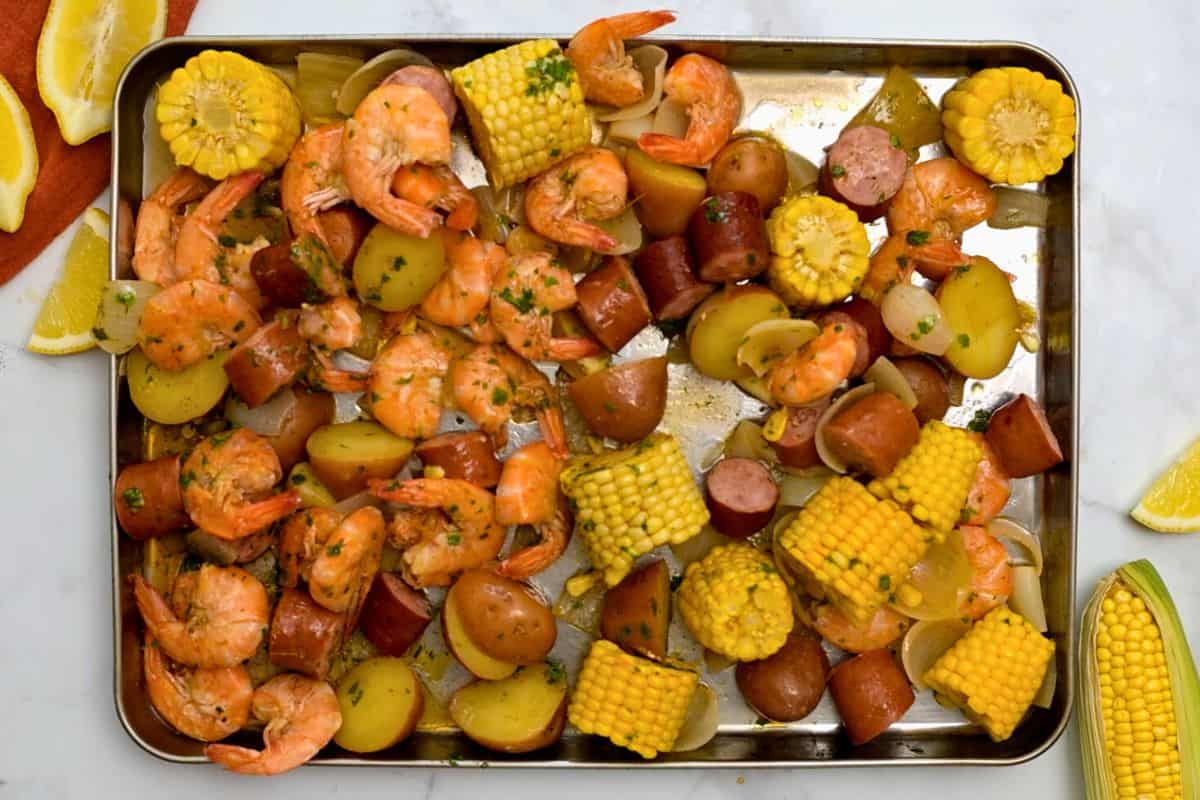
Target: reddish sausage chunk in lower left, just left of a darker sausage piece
304 636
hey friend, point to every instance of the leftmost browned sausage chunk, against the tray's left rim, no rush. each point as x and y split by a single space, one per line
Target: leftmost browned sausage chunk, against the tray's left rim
148 500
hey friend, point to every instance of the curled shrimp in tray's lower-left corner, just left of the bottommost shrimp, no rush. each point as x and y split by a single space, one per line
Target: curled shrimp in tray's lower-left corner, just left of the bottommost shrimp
206 703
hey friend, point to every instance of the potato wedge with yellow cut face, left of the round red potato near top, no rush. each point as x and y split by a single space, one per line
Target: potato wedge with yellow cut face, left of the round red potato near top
667 194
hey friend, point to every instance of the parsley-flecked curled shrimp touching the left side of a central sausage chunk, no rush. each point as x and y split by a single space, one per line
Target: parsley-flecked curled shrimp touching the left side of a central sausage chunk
526 294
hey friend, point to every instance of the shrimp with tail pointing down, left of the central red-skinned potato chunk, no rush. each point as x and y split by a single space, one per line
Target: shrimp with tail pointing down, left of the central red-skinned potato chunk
494 380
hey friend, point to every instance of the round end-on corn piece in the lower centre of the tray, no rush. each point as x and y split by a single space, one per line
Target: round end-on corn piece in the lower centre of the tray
735 603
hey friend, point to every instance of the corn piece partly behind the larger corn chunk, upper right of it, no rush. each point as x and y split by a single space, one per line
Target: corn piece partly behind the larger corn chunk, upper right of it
933 482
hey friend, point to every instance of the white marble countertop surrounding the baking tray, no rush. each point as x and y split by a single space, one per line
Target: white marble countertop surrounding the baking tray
61 737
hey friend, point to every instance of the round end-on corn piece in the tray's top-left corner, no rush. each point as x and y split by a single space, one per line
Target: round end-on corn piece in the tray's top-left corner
224 115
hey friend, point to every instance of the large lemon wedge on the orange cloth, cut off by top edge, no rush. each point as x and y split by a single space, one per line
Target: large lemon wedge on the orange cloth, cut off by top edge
82 52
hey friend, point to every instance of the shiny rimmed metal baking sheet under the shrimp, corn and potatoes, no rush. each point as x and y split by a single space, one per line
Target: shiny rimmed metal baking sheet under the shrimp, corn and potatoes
801 92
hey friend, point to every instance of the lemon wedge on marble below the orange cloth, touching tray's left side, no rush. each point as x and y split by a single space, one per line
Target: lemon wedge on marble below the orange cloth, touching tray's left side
65 323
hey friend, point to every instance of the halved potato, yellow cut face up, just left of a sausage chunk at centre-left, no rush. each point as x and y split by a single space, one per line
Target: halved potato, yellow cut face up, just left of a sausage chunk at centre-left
346 456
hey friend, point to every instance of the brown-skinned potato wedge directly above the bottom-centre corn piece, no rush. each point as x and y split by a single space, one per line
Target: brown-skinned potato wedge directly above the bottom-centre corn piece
638 611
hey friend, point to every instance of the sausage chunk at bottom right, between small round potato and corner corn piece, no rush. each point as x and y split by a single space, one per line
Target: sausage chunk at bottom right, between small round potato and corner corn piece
871 693
